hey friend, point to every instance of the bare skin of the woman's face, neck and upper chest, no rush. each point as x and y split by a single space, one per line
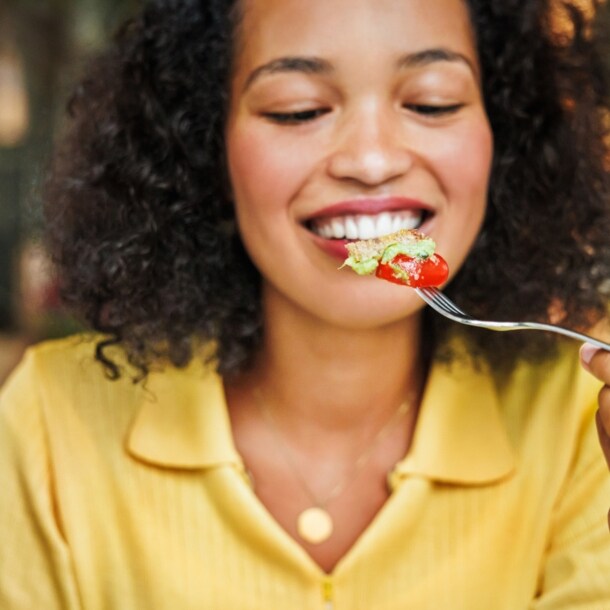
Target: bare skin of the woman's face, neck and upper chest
333 368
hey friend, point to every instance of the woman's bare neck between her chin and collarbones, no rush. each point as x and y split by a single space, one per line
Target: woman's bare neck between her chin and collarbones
324 377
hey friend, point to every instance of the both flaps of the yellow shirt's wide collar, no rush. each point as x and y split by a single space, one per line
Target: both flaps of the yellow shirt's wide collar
460 436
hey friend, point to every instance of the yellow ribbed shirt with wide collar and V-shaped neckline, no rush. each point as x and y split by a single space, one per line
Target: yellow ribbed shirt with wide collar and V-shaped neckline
118 496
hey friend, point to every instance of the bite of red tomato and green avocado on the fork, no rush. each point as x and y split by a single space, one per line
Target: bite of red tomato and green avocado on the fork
406 257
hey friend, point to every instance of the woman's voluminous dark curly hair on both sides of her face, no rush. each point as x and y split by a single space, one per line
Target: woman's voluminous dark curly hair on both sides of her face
142 232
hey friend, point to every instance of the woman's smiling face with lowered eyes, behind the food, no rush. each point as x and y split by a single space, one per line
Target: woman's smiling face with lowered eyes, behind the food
350 119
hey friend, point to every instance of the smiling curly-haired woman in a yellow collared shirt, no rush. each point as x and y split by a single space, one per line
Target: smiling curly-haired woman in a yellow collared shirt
299 436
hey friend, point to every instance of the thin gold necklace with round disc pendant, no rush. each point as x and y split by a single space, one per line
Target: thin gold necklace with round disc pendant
314 524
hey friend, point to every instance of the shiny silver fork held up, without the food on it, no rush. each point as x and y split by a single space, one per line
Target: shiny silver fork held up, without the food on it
446 307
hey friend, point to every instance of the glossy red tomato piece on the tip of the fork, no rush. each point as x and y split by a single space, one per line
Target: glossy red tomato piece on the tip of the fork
419 273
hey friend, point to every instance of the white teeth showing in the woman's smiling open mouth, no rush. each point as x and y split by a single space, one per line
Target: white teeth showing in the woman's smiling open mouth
366 226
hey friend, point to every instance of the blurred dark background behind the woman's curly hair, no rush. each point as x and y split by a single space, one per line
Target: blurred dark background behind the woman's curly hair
43 44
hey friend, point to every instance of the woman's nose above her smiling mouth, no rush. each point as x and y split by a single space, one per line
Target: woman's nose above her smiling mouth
370 147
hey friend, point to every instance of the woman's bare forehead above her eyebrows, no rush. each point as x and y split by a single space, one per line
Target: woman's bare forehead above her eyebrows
331 28
